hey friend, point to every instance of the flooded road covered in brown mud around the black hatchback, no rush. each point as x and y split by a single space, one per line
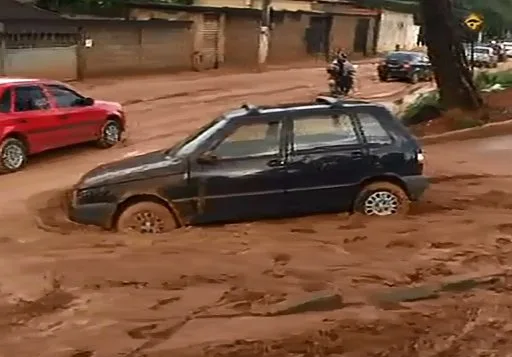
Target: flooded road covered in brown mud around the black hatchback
224 290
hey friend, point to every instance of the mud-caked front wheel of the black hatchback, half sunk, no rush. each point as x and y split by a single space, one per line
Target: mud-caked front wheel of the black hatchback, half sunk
146 217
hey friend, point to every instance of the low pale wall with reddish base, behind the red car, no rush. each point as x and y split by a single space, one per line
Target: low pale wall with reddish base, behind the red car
52 62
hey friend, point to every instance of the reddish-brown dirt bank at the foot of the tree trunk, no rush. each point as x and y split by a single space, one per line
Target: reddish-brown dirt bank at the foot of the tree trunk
498 109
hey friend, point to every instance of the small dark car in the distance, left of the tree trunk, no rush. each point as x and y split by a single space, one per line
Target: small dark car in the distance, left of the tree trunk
410 66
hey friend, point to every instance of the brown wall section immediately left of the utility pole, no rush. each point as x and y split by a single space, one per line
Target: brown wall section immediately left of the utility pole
241 40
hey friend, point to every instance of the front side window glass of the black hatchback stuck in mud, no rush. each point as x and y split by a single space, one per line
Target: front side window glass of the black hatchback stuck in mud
256 139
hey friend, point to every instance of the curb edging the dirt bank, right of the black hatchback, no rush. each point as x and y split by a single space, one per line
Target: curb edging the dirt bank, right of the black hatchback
484 131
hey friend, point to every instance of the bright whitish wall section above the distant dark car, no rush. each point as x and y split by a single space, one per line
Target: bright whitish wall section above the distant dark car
396 28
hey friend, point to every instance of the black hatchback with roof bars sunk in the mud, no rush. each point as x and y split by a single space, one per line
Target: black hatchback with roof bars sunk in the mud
261 162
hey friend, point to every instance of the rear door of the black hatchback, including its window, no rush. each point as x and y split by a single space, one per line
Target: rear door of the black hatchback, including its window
327 161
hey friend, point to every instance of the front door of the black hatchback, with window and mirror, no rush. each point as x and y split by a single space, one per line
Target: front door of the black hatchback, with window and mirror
246 179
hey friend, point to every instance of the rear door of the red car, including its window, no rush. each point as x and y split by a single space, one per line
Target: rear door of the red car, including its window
34 116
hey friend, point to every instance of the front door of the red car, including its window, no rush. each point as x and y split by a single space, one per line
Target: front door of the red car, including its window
83 122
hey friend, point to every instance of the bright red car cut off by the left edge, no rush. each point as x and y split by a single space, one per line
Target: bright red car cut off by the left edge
39 115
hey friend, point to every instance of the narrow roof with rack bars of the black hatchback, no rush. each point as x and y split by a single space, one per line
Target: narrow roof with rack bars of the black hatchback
247 110
